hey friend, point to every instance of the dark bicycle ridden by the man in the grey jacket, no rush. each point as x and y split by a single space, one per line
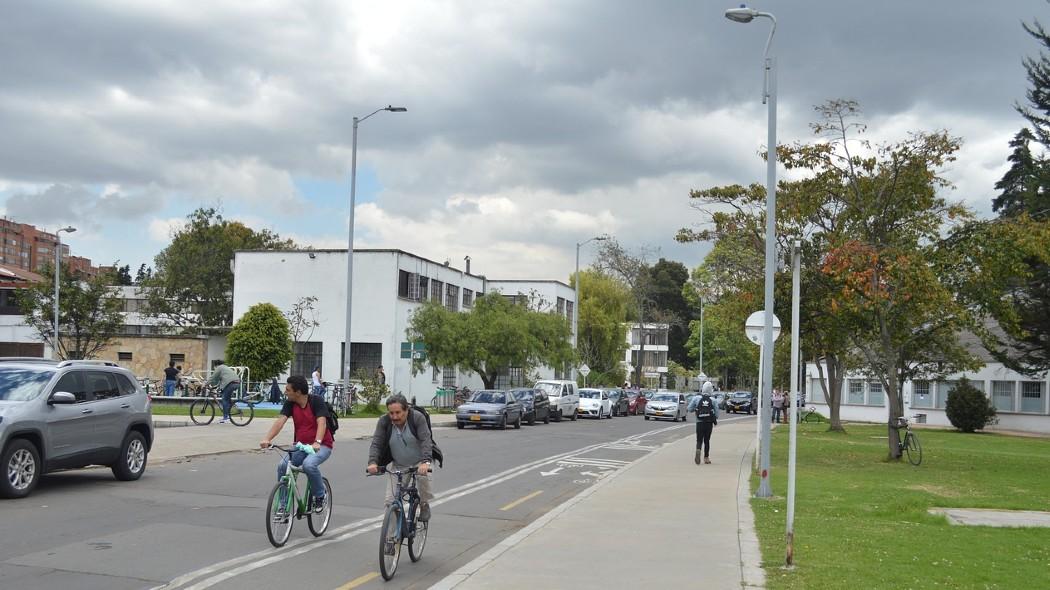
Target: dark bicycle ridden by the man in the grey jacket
402 523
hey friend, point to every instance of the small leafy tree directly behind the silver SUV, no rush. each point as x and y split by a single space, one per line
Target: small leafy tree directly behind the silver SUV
90 313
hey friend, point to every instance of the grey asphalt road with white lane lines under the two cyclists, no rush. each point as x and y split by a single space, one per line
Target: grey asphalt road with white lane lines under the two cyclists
200 523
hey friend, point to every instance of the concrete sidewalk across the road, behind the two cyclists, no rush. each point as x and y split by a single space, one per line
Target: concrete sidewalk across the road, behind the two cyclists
177 441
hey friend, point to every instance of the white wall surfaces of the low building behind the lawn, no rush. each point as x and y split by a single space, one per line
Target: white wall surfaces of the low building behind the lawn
1032 423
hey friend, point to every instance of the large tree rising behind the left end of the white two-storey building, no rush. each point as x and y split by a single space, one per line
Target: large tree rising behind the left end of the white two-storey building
193 285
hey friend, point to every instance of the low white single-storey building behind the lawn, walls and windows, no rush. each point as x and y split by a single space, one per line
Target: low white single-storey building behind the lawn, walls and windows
1021 402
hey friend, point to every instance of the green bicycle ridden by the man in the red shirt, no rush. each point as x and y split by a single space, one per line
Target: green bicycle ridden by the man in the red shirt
285 503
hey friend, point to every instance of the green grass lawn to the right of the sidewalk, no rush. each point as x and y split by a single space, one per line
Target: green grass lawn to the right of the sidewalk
862 522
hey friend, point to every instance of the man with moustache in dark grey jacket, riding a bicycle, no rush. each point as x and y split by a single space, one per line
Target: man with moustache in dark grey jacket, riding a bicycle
404 439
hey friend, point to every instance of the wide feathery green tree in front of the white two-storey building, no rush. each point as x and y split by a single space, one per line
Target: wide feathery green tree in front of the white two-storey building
495 335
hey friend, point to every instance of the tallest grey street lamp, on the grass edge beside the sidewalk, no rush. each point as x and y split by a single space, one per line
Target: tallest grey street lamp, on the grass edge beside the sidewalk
770 98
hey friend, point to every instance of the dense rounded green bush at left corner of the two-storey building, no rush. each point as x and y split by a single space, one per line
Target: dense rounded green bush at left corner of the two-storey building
262 342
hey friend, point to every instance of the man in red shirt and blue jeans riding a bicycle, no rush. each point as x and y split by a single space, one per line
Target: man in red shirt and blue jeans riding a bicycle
310 418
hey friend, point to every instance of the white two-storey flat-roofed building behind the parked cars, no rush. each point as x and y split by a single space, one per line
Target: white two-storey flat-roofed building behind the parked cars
389 286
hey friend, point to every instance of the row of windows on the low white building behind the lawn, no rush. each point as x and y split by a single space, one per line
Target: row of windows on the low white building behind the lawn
1025 397
